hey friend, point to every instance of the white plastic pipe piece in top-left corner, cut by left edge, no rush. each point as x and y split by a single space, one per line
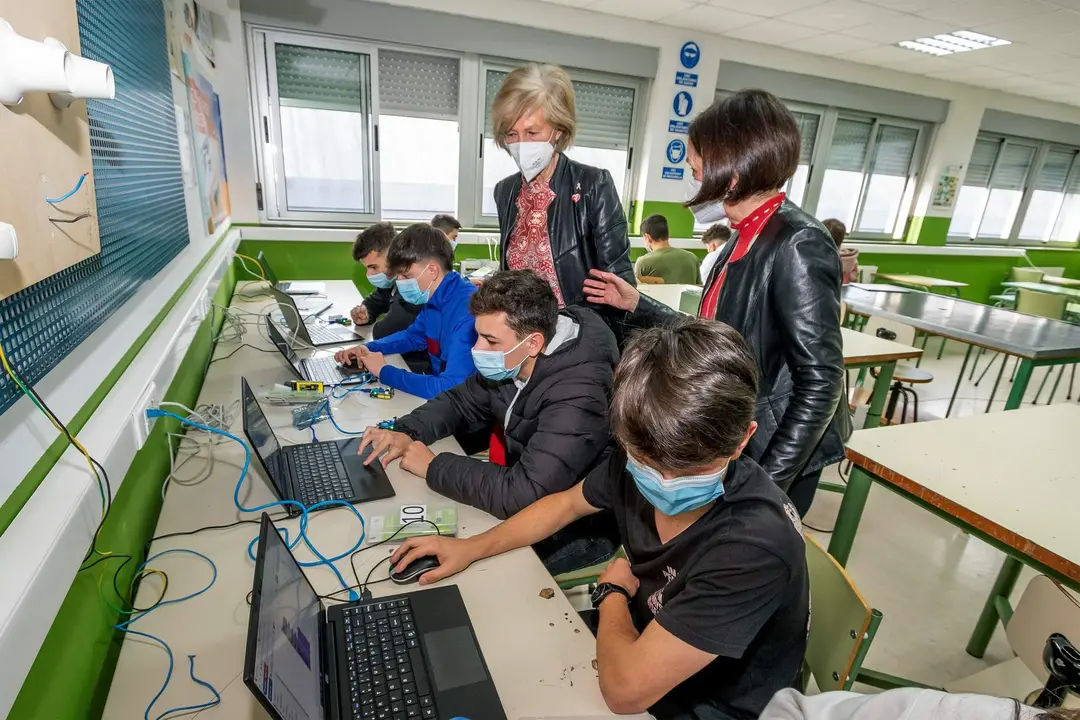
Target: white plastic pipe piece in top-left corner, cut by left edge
29 66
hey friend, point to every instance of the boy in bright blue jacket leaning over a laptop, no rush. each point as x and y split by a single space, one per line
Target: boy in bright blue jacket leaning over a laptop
422 260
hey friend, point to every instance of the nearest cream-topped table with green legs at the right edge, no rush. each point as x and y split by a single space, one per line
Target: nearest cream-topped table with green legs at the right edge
1010 479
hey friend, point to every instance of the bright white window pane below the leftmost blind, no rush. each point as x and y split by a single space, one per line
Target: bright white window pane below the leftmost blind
325 159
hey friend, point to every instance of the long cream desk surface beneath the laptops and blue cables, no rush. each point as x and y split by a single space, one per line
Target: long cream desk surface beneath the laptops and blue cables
539 653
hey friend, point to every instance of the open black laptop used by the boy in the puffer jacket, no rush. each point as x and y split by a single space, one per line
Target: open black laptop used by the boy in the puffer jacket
313 473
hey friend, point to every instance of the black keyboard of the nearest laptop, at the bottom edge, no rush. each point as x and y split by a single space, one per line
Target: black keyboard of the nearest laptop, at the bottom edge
388 680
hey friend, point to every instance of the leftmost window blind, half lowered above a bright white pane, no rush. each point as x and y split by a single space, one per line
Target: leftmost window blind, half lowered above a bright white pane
317 77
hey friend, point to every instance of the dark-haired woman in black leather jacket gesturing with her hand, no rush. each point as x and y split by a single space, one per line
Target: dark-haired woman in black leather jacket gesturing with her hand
778 283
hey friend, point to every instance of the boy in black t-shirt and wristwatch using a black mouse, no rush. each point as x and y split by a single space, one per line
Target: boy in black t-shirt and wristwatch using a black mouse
709 618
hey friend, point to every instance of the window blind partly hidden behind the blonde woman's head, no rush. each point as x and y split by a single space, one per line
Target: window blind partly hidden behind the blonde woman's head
605 113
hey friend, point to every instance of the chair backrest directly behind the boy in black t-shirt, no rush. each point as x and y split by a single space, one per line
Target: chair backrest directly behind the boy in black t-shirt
842 623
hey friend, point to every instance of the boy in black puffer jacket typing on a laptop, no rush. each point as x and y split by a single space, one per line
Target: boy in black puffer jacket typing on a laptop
542 389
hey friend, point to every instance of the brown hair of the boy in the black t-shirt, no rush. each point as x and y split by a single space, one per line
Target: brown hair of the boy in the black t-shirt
684 395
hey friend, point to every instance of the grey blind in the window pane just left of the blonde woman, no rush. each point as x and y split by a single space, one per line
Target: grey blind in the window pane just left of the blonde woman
413 84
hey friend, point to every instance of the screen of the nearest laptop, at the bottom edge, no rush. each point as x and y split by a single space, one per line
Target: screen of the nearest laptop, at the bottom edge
287 653
